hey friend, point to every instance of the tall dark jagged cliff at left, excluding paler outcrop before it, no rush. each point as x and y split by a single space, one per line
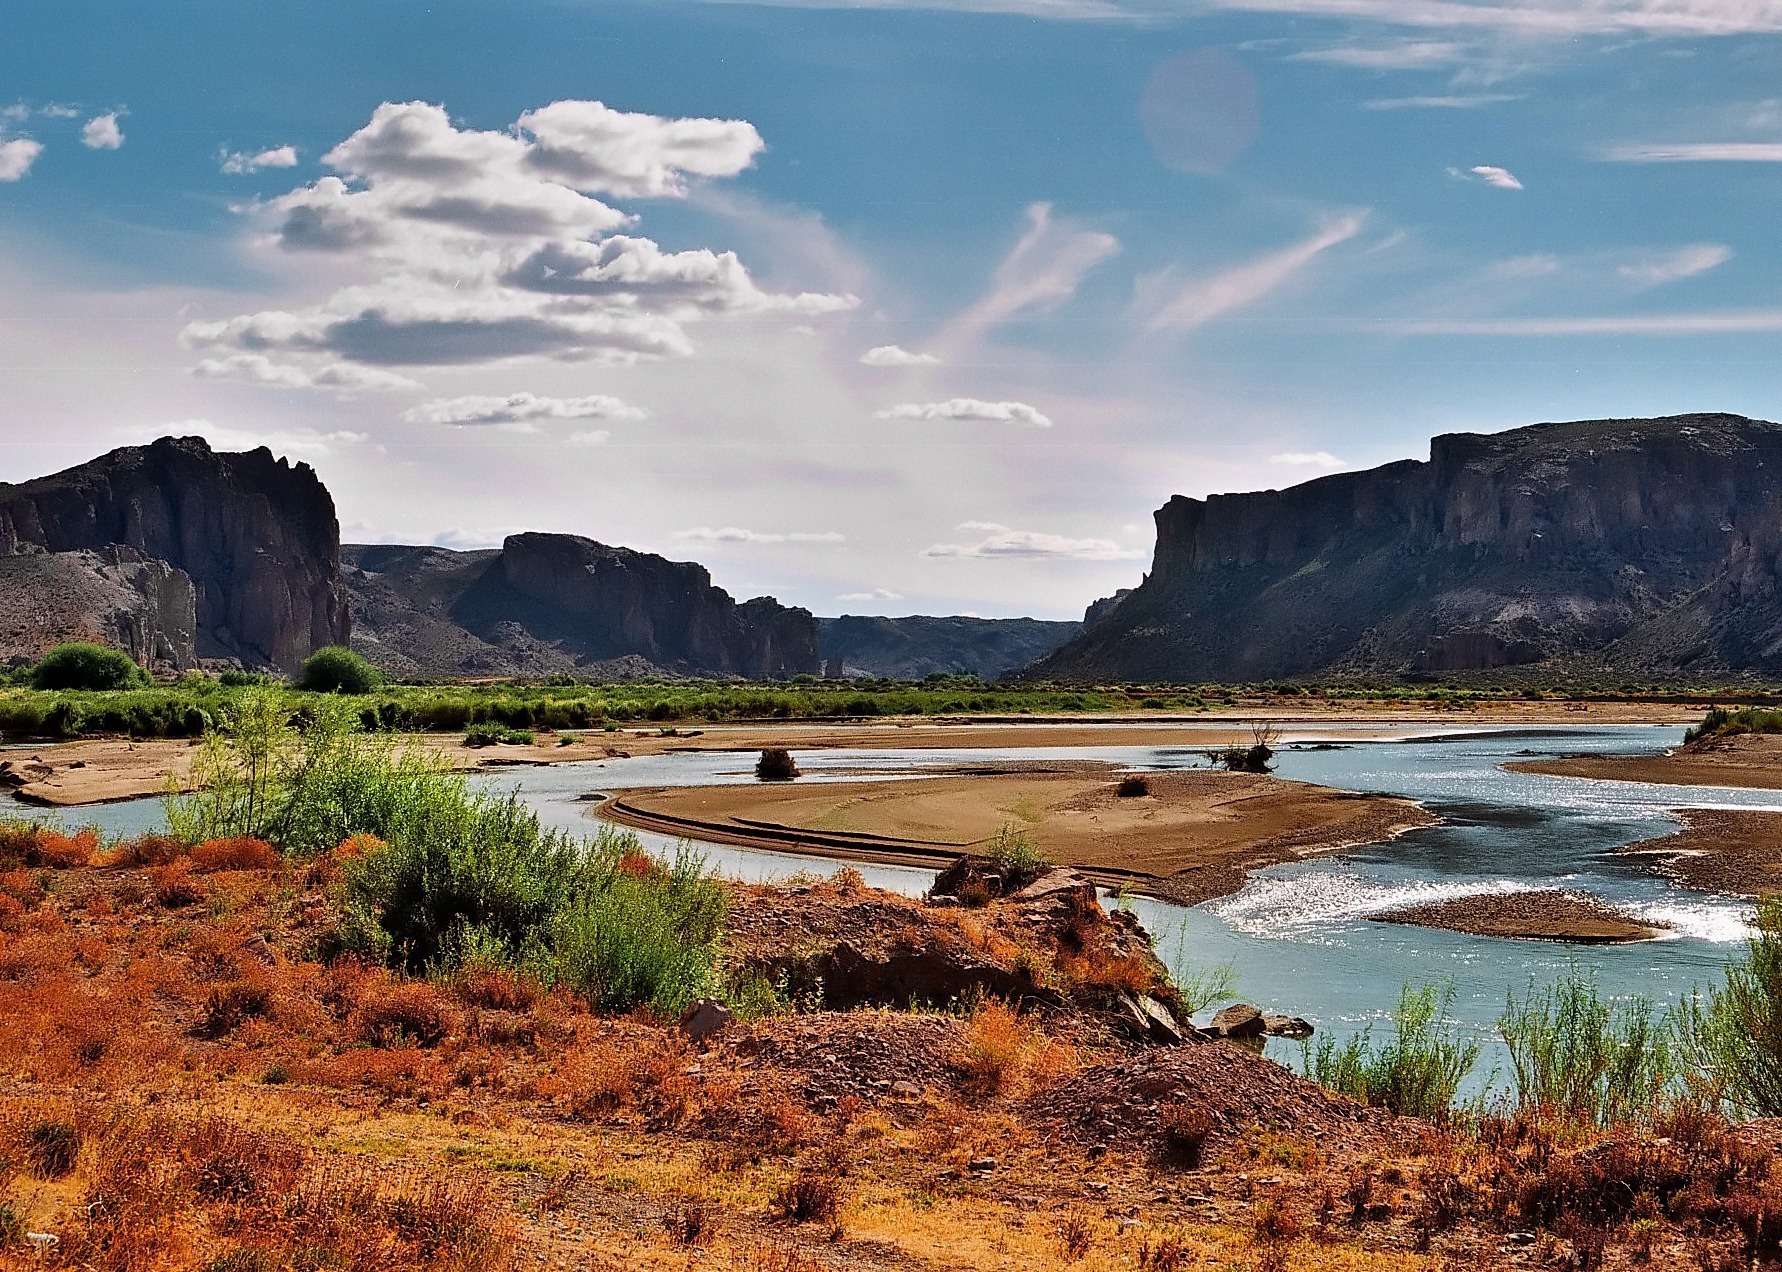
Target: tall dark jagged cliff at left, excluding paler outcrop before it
256 537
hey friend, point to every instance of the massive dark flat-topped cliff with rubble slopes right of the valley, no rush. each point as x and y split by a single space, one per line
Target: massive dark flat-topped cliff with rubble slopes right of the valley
1640 544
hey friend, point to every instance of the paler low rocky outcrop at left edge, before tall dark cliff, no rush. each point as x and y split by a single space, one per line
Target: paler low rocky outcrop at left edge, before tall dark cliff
115 598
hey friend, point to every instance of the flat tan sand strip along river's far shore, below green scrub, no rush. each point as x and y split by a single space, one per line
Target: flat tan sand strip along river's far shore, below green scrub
115 769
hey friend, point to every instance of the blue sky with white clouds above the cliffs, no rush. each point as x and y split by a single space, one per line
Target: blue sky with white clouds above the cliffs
901 307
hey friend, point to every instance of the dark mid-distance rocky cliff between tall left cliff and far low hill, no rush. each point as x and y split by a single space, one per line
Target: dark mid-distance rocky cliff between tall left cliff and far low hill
564 605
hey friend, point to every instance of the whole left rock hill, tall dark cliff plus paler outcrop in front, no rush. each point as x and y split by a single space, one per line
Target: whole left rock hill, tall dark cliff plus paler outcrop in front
174 550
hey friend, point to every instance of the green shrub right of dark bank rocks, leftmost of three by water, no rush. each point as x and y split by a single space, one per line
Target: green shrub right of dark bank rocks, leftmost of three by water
1416 1073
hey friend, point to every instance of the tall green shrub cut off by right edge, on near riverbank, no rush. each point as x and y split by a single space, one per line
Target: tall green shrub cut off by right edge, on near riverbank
1733 1036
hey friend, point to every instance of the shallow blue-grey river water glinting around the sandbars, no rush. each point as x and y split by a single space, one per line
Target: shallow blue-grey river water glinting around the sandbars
1298 934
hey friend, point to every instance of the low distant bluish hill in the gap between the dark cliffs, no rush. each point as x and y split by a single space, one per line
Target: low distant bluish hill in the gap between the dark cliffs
908 649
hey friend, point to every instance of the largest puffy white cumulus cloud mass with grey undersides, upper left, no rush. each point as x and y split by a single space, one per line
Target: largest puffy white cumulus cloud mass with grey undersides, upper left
493 247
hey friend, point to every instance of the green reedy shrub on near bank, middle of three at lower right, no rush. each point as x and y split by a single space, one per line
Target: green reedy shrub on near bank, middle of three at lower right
1583 1059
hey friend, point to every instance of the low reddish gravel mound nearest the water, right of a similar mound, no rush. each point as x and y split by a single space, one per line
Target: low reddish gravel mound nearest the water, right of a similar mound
1122 1105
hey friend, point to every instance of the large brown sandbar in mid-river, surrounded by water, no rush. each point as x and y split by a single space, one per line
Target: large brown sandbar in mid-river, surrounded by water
1191 840
